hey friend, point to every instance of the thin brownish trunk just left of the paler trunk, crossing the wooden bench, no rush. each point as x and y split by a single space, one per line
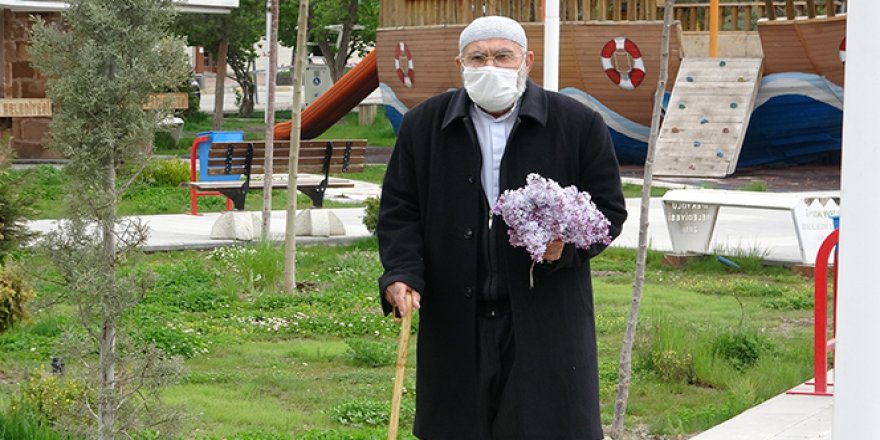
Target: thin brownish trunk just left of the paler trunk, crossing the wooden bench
270 119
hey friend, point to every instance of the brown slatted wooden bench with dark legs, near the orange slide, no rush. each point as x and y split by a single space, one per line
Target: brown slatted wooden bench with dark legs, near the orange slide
232 168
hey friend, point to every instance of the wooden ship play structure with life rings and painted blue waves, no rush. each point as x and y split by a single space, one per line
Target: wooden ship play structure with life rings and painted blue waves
781 103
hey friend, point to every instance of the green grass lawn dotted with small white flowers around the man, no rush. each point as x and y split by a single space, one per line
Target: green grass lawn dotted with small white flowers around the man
319 363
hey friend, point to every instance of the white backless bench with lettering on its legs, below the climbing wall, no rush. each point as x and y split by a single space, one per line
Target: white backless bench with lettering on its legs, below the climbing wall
691 215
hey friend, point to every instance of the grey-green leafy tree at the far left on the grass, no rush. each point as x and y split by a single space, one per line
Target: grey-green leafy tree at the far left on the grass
103 61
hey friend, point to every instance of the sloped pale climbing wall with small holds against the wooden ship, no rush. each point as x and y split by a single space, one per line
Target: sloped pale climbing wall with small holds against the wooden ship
707 117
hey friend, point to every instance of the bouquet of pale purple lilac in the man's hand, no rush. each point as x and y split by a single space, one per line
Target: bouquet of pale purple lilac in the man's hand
543 211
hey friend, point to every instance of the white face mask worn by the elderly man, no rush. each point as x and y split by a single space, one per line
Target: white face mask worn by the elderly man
494 88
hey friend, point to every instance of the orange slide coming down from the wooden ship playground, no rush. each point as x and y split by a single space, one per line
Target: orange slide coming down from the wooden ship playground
338 100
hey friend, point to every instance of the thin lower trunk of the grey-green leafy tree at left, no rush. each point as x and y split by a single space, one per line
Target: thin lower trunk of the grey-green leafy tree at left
107 394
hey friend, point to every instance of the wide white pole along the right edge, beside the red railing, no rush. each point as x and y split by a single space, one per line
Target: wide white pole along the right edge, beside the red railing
857 390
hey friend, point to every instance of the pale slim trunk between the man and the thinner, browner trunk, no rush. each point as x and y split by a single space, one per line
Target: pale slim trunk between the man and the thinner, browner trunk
298 71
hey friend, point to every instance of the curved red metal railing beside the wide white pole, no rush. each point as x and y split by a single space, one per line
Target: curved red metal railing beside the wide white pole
821 344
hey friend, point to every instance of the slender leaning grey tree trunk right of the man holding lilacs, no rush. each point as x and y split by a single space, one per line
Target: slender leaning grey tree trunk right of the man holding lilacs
625 371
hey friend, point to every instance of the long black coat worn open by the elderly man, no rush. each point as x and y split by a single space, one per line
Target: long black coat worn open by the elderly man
431 214
